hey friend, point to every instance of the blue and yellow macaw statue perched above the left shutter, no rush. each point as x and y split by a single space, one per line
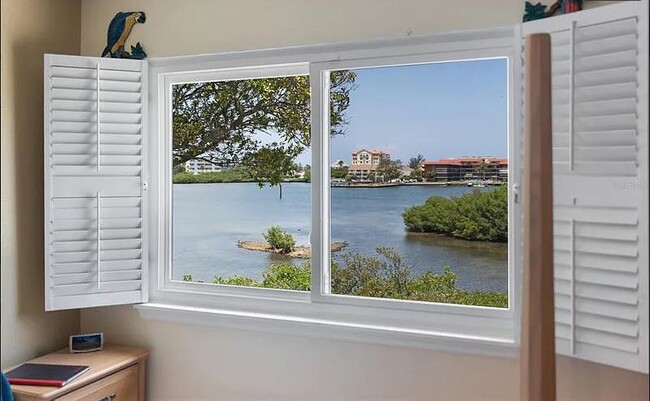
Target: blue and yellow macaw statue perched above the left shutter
119 30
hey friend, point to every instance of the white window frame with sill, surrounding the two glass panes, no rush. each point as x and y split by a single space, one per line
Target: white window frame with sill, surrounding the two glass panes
459 327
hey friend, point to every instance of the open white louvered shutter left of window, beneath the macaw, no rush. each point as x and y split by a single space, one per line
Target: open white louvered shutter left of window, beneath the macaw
94 182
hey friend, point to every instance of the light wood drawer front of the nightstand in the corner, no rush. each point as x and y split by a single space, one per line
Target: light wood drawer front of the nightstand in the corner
120 386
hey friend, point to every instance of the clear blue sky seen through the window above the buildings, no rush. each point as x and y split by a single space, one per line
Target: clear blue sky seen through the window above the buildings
438 110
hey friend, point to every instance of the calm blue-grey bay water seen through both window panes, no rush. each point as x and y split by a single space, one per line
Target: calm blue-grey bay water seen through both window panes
209 219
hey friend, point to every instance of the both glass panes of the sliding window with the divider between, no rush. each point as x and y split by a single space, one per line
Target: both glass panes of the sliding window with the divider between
239 228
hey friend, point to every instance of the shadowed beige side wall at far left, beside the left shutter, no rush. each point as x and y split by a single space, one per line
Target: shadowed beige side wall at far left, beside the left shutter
29 29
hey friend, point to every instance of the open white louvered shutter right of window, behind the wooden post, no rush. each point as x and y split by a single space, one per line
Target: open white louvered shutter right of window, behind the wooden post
600 172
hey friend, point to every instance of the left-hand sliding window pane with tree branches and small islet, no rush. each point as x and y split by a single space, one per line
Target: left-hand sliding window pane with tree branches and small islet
241 191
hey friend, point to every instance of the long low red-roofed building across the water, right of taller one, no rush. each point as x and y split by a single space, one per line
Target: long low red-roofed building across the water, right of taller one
467 169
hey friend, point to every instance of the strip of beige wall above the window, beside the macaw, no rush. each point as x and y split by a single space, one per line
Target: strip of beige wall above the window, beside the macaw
179 27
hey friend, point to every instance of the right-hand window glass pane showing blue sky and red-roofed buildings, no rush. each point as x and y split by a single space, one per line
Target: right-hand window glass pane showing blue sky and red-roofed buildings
419 207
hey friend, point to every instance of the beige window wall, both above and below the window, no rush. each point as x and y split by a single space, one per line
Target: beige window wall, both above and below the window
200 363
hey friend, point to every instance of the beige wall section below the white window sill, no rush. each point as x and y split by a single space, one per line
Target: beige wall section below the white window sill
201 363
